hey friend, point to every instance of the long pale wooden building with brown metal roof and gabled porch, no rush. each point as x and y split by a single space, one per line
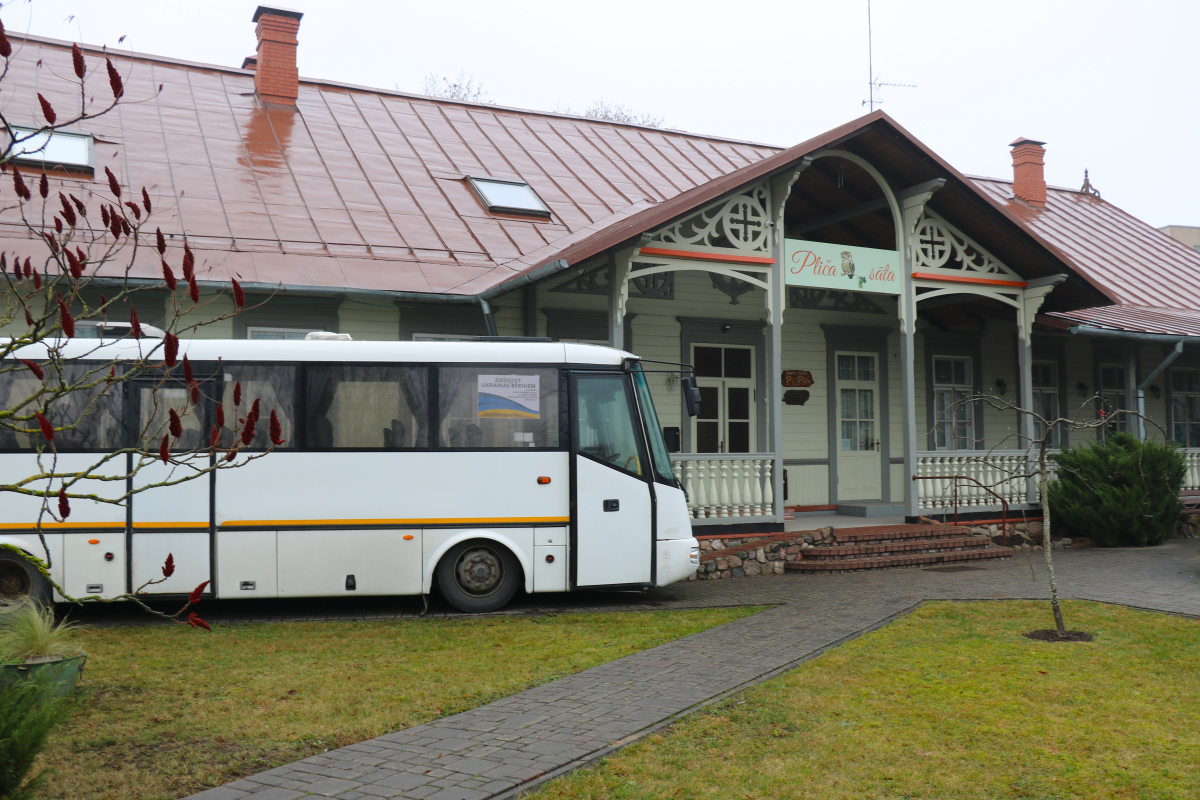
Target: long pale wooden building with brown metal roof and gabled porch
841 300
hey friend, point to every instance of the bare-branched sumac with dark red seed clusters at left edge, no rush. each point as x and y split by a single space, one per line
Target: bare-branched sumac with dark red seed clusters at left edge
80 242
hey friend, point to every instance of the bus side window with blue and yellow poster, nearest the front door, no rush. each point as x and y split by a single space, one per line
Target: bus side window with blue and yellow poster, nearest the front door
499 407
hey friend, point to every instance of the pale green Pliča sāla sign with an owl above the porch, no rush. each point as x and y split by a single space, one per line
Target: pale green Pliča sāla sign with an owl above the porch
841 267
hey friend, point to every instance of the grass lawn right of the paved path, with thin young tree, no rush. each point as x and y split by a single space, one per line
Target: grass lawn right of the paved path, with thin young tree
949 702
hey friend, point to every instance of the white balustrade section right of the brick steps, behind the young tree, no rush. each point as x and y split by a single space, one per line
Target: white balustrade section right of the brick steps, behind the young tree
1004 472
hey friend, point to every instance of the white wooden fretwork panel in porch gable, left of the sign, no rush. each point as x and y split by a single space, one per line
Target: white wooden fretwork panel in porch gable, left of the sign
741 222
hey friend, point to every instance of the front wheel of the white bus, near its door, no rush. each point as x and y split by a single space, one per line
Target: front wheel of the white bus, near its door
479 576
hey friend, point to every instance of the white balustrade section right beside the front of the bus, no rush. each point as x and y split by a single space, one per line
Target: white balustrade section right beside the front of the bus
724 486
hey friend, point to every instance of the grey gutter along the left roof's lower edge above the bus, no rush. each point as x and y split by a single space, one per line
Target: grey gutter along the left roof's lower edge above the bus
481 299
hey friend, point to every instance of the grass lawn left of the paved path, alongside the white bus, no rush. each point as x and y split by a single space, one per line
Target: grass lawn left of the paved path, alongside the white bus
170 711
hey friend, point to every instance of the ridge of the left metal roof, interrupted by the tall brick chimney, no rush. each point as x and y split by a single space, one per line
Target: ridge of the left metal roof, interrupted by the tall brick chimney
101 50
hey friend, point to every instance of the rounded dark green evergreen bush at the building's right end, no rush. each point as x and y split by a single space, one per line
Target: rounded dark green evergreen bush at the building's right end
1119 492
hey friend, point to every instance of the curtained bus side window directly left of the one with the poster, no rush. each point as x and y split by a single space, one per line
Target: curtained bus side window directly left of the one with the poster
367 406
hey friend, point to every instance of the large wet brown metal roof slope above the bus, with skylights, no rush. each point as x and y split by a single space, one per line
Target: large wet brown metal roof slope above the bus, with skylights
356 188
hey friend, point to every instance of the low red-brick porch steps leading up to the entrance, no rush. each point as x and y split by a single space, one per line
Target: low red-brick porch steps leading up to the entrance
885 548
